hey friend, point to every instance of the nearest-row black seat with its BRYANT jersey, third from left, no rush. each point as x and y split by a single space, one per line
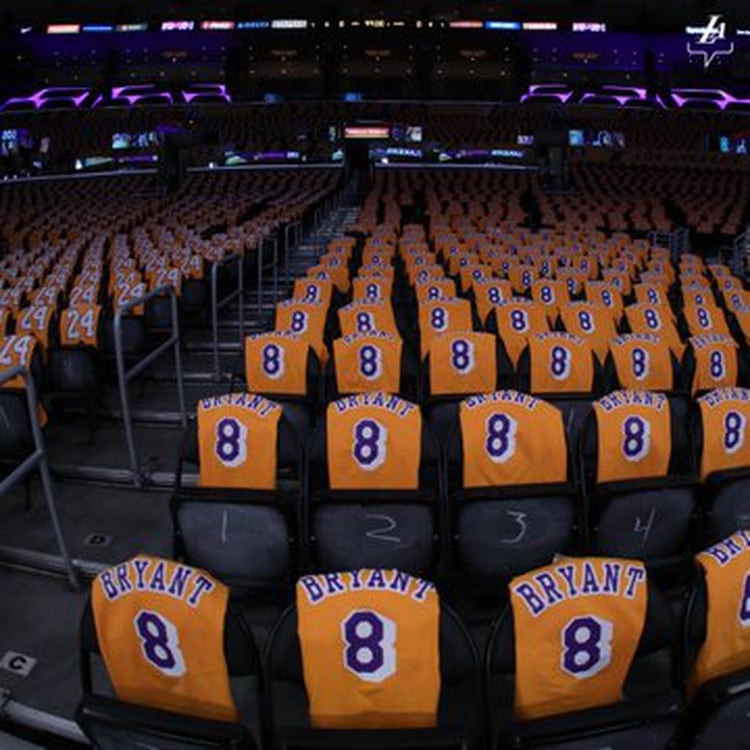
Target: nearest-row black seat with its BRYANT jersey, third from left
629 654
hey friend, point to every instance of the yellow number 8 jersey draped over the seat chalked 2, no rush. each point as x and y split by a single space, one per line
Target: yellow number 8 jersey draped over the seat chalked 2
374 441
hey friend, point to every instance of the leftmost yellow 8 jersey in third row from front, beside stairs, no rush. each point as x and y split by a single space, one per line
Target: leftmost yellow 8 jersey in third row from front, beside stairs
276 362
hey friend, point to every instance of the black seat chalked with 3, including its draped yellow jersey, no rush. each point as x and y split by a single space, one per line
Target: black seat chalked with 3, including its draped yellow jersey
515 511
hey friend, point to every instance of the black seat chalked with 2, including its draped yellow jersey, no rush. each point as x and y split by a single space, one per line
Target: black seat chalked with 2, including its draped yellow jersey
373 486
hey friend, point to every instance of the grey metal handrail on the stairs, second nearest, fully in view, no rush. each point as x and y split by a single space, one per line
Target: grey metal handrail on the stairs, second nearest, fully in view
125 376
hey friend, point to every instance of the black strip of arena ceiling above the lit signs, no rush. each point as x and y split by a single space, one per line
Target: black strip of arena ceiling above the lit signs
636 14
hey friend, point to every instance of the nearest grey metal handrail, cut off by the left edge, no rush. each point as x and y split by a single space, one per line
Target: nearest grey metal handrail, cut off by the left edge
37 460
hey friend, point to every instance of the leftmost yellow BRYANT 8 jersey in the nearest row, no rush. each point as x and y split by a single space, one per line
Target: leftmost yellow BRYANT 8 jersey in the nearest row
160 628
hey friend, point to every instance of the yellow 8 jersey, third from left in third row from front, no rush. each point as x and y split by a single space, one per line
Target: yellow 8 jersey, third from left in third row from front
463 362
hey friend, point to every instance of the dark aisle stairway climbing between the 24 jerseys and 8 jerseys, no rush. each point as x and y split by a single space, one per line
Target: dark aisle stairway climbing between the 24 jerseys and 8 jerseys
105 517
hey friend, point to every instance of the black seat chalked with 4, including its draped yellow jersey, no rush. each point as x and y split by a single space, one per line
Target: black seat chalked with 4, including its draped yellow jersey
638 463
